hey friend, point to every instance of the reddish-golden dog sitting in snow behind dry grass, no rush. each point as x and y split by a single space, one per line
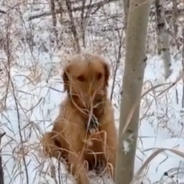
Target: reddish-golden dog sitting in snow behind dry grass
84 132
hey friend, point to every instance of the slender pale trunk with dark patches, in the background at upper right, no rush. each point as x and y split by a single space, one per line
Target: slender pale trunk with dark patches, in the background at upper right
163 37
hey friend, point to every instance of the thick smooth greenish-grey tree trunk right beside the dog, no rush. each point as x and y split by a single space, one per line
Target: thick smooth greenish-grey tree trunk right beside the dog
135 63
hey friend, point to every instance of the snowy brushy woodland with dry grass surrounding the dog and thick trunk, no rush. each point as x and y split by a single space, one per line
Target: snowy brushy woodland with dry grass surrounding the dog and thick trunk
37 36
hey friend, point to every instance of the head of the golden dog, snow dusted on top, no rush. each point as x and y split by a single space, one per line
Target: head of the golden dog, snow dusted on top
86 79
